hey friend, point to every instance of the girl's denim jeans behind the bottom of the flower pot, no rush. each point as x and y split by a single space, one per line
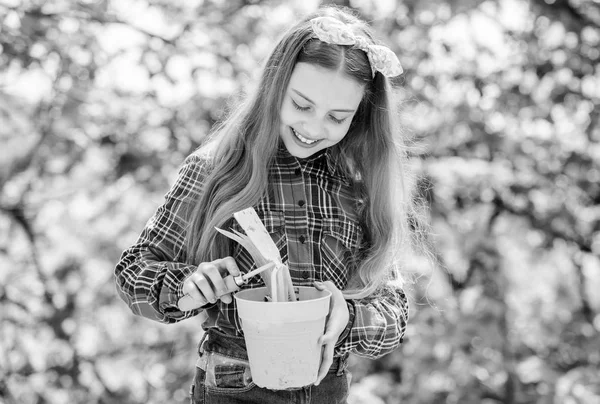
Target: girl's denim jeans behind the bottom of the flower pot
223 376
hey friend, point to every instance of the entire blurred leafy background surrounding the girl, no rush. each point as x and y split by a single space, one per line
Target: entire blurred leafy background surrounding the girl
100 102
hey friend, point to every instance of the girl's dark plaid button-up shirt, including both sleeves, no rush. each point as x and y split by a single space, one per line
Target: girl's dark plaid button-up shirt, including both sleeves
310 212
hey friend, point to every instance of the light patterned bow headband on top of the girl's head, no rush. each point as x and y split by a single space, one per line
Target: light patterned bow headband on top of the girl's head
333 31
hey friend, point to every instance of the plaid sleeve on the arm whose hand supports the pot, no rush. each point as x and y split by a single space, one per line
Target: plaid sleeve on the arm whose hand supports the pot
377 323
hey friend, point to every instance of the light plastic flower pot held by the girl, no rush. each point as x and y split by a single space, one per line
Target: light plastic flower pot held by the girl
282 337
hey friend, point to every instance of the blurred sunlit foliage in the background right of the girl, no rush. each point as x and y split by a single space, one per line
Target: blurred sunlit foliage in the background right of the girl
505 94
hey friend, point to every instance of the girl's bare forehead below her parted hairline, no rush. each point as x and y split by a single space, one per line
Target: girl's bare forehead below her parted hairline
328 89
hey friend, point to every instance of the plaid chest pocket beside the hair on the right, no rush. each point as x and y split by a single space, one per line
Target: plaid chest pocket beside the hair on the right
340 248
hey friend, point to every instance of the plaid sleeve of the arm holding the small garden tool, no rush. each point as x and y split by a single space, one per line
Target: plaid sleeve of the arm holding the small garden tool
150 273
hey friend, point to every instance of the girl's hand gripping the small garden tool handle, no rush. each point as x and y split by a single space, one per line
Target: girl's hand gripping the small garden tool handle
207 284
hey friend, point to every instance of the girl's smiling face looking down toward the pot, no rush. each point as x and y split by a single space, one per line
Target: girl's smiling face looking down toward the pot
317 109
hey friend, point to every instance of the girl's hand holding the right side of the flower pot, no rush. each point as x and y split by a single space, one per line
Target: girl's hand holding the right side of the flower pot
337 320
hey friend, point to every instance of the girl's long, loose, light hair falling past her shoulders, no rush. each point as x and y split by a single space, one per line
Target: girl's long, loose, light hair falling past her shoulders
243 147
